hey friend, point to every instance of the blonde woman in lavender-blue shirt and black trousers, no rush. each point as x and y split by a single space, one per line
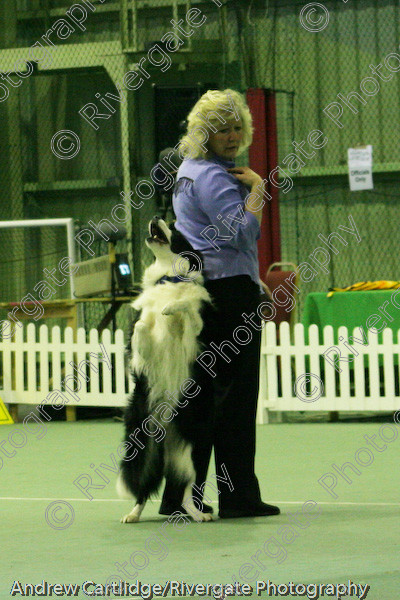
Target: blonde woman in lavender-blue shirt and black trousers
219 217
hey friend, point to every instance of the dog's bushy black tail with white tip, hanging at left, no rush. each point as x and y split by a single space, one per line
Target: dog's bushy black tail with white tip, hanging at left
142 467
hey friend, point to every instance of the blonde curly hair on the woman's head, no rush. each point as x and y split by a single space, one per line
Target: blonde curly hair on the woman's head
214 109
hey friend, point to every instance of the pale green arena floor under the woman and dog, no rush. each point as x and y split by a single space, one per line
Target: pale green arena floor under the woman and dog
356 536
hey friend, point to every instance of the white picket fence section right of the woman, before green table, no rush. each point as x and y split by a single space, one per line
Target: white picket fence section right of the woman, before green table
295 376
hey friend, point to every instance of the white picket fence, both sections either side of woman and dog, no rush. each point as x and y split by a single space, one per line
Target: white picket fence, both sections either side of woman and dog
294 376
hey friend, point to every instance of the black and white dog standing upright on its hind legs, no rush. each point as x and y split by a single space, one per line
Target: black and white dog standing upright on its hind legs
160 424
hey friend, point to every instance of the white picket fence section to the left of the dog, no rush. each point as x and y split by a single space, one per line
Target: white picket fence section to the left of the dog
34 365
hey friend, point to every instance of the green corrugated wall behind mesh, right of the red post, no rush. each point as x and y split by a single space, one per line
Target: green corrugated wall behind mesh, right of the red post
341 79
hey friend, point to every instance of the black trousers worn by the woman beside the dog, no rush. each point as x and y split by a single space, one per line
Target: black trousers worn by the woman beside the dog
231 387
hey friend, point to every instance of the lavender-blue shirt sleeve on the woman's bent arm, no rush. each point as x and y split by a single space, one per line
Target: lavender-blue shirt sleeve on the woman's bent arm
219 198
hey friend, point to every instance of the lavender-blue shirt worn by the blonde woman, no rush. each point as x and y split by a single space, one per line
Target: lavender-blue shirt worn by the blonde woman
209 207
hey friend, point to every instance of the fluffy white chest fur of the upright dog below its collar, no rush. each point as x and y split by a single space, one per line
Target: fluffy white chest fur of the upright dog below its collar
165 339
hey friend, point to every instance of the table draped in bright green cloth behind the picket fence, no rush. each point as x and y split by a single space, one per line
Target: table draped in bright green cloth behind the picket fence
353 309
